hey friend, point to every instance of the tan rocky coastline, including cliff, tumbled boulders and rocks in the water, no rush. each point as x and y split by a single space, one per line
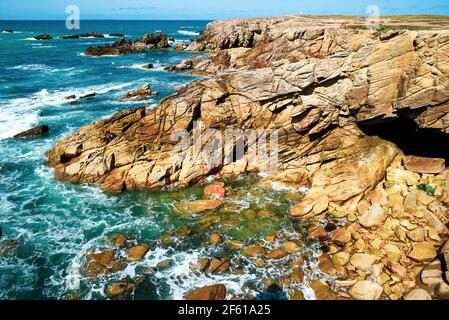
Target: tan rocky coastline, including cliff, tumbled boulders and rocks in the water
317 83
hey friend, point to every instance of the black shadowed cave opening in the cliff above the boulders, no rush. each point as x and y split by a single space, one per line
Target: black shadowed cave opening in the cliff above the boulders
411 139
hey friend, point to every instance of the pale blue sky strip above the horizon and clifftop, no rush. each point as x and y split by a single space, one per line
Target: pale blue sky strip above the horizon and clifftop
208 9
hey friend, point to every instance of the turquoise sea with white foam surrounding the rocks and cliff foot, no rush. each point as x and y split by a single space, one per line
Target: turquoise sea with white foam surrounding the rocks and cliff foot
57 223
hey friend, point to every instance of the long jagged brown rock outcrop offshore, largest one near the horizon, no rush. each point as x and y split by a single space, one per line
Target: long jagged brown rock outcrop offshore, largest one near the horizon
147 42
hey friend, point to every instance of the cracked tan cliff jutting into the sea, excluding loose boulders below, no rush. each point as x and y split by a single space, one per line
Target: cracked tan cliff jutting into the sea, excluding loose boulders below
309 85
